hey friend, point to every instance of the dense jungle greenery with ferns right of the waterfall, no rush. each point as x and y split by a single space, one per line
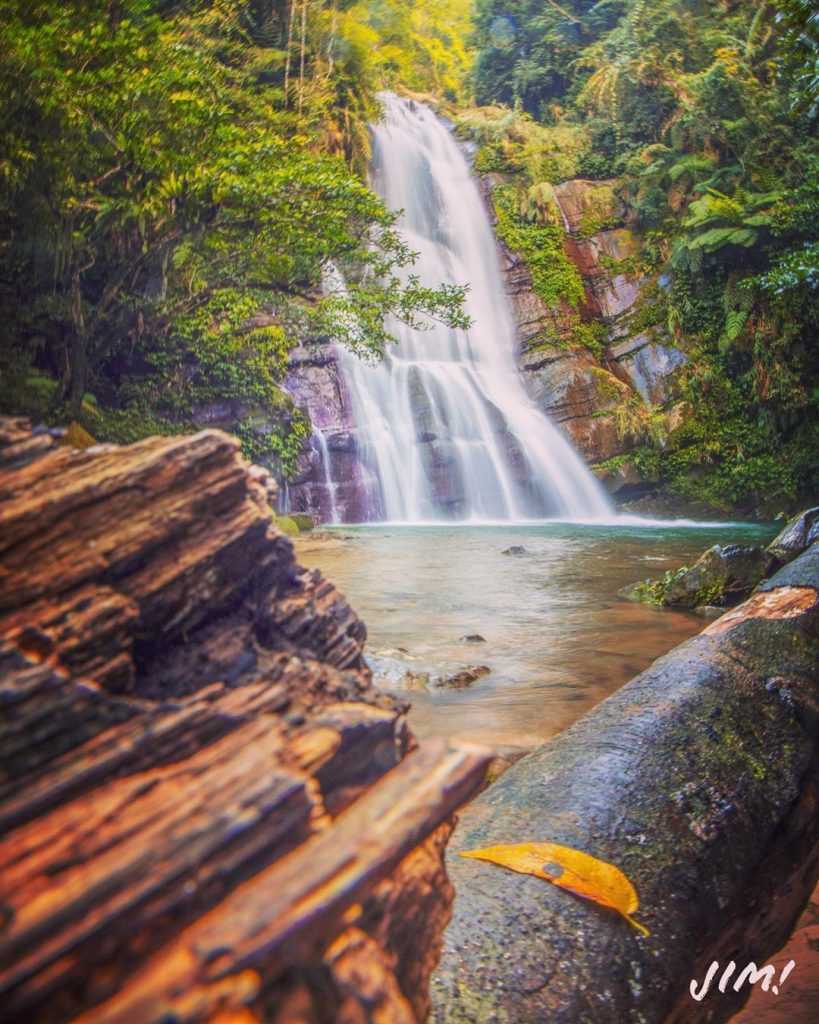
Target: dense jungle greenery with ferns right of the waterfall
704 116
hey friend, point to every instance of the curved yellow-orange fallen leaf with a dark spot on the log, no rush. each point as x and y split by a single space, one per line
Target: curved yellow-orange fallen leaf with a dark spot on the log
573 870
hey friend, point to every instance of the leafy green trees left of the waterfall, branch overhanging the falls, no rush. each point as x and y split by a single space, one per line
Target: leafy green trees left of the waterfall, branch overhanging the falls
176 188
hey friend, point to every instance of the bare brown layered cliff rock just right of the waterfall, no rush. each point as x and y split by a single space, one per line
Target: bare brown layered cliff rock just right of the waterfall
581 392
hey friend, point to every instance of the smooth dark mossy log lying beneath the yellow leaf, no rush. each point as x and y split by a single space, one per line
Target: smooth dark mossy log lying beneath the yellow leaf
701 781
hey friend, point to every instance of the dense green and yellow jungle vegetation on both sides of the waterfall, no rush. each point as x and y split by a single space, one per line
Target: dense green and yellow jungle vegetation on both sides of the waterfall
179 177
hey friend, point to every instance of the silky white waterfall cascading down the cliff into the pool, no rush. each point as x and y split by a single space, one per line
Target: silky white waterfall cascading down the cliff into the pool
445 428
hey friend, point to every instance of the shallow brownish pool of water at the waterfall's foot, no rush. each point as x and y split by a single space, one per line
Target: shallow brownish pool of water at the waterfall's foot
558 637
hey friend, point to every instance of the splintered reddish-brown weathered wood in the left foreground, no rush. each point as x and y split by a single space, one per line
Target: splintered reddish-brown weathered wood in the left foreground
192 753
